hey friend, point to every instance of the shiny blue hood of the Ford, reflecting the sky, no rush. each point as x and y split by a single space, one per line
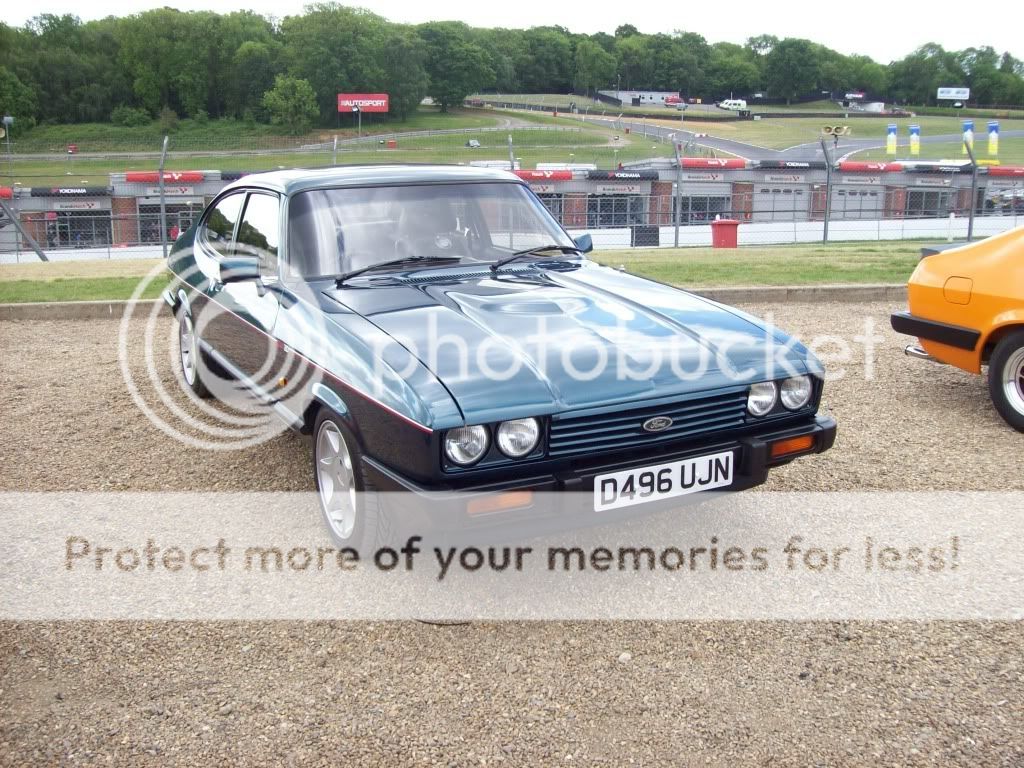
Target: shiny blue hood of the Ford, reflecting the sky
529 343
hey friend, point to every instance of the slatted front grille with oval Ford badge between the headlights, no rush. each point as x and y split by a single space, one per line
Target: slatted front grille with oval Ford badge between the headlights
623 430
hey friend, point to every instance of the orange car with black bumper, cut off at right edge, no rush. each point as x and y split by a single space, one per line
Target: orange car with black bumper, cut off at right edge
967 310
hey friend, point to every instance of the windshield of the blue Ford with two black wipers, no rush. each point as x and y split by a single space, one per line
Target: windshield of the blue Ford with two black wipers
334 232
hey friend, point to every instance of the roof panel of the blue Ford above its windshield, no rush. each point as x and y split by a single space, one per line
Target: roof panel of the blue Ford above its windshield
303 180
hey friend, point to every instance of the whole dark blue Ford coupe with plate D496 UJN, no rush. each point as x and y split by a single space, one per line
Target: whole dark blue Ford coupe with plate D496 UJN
459 342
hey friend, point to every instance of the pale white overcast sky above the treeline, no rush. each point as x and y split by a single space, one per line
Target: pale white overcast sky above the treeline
882 29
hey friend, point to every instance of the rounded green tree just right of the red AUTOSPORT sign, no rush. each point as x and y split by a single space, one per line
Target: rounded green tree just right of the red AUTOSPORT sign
456 67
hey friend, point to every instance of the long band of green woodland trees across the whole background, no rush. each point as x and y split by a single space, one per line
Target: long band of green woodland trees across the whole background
202 63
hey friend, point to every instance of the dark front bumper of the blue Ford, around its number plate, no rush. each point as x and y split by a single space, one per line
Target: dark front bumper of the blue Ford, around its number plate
420 509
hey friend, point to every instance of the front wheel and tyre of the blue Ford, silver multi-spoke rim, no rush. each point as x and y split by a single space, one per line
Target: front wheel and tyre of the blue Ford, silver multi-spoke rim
349 502
